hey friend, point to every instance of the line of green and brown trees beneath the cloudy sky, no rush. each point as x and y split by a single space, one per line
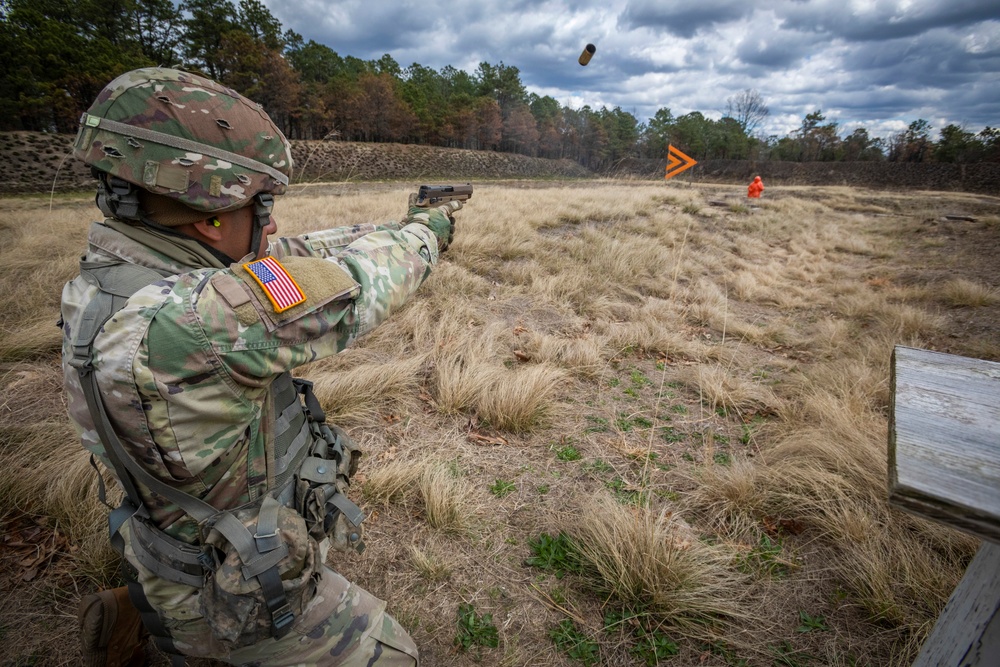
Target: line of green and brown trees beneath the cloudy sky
58 54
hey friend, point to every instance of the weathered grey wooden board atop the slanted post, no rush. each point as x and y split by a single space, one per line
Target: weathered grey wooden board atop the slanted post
944 439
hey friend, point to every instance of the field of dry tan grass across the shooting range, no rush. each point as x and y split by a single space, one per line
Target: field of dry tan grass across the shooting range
672 384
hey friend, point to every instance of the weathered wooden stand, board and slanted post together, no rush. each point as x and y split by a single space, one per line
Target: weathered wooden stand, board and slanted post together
944 464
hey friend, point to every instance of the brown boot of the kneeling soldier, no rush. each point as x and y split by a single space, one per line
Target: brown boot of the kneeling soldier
111 632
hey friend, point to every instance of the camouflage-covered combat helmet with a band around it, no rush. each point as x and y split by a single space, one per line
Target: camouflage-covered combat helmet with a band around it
184 137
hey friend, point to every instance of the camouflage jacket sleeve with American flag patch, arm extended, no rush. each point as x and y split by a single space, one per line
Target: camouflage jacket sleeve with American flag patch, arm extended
344 297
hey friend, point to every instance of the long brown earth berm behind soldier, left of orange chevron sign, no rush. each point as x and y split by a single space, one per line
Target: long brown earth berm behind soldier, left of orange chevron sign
37 162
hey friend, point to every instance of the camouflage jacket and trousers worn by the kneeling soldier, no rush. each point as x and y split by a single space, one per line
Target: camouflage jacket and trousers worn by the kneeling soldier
185 369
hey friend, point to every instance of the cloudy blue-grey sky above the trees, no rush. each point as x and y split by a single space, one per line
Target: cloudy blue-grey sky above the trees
879 64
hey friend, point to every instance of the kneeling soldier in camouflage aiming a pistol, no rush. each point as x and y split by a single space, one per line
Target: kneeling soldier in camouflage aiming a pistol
179 335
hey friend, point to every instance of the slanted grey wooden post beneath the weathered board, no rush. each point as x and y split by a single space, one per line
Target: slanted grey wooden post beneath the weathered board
967 634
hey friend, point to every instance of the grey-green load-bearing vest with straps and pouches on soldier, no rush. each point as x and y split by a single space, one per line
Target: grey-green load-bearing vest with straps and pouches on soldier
312 464
